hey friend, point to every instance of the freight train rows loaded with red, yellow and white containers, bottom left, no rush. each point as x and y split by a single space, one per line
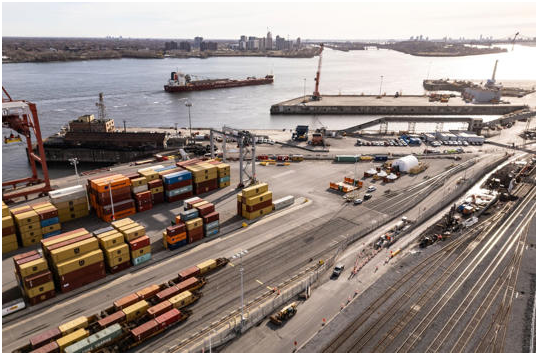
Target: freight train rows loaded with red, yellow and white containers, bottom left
131 320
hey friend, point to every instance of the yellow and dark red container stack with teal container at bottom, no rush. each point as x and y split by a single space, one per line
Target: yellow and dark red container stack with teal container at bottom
135 236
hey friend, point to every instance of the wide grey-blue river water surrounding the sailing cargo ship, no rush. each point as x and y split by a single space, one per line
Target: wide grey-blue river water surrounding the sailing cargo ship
133 88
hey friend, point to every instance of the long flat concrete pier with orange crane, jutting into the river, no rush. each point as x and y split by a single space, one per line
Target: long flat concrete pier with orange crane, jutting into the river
388 105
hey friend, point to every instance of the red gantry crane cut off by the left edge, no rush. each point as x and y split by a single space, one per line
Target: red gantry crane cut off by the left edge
21 116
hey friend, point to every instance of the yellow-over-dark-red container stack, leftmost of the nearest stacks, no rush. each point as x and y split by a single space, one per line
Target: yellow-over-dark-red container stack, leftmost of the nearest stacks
34 277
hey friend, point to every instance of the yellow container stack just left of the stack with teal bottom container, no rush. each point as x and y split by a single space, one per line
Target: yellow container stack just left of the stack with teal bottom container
112 242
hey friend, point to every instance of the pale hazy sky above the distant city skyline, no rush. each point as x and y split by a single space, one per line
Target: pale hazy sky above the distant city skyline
321 20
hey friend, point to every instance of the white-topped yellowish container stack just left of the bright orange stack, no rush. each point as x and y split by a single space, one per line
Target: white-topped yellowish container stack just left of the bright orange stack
71 202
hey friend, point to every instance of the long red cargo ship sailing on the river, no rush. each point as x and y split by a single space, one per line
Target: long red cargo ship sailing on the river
180 82
